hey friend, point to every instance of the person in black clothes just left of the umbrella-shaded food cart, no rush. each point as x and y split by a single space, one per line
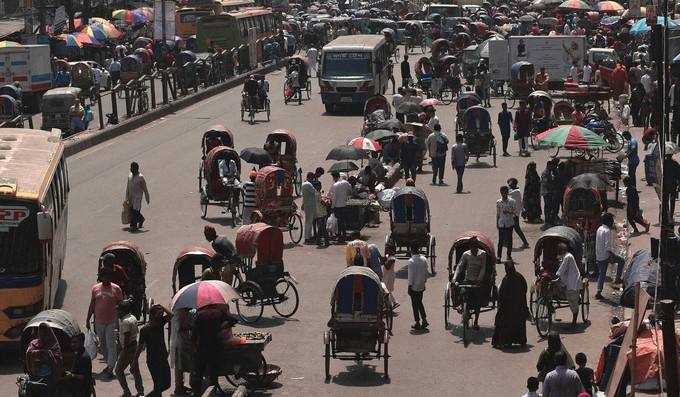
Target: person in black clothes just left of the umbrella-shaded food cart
152 338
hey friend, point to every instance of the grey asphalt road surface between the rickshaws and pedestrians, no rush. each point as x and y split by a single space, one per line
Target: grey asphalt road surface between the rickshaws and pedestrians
432 362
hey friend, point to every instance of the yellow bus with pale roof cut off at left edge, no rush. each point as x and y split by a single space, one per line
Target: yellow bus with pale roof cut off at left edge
33 215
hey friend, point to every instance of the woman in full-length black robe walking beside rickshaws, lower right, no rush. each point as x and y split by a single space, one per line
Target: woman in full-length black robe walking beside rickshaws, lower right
513 312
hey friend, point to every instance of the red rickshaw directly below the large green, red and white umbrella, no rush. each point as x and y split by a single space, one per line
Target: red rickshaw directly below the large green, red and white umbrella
584 201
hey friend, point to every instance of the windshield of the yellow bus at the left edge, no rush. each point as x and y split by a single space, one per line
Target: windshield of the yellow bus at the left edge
20 250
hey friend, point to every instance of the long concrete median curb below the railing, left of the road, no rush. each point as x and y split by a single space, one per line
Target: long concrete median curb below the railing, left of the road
87 139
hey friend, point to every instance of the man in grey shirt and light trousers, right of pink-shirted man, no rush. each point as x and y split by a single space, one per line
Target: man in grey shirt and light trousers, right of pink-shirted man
127 338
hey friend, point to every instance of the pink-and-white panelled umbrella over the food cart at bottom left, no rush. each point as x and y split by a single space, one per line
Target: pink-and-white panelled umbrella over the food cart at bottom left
204 293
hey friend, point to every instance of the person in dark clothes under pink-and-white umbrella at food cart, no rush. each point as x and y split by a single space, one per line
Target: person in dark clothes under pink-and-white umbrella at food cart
206 344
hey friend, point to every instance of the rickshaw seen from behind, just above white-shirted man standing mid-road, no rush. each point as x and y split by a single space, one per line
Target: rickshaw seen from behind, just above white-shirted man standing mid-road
410 220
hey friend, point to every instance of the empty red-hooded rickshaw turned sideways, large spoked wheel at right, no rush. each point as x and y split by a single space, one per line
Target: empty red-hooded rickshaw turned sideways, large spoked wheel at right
260 248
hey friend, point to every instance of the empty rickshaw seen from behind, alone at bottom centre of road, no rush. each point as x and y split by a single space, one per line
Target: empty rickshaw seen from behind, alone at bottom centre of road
361 315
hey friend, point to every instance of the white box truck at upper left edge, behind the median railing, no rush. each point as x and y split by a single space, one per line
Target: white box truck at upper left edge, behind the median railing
30 66
